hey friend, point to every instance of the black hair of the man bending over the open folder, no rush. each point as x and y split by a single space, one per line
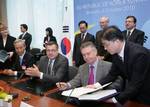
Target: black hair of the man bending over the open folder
112 33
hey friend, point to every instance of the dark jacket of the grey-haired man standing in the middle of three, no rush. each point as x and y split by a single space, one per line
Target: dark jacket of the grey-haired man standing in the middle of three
100 47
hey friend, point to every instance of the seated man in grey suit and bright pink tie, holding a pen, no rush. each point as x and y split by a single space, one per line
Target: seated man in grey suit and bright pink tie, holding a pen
92 71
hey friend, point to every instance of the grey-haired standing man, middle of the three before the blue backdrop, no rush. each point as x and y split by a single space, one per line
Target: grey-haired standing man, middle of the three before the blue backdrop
102 53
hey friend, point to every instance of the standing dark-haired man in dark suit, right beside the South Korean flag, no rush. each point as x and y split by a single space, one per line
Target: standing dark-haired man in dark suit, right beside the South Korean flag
84 36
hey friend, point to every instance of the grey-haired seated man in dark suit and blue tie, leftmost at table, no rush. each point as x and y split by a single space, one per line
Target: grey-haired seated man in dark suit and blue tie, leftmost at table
22 59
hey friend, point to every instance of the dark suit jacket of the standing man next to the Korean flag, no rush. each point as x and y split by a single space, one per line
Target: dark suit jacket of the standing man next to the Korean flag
77 56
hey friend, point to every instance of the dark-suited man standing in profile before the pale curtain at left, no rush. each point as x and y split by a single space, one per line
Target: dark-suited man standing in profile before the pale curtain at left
25 36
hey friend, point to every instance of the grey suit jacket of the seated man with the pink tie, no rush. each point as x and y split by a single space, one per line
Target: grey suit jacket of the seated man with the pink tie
103 67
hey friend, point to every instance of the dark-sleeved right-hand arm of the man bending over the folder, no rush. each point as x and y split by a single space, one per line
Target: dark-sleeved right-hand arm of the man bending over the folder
139 71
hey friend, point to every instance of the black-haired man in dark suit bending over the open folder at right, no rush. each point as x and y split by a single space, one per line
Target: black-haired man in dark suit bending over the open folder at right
132 62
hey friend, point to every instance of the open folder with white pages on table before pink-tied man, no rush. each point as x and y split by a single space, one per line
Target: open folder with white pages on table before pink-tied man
84 93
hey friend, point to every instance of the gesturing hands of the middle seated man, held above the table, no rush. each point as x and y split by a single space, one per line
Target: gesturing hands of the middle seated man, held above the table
33 71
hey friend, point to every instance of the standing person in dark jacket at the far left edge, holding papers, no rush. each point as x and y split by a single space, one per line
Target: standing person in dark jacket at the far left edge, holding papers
6 43
